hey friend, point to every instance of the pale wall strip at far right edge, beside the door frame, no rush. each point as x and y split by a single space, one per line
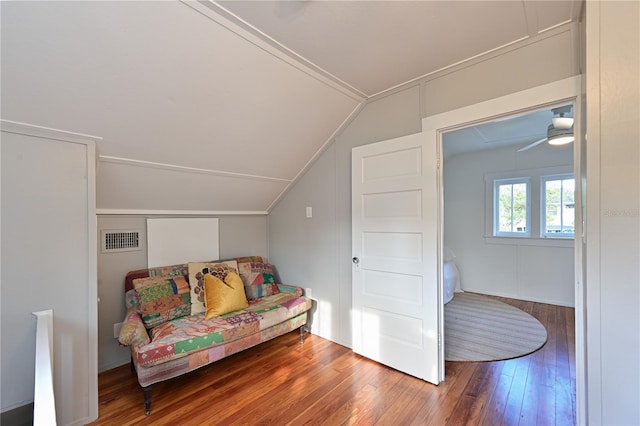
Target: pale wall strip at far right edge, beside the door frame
613 212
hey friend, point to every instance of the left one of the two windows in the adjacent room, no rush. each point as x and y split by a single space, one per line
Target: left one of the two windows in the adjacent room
511 207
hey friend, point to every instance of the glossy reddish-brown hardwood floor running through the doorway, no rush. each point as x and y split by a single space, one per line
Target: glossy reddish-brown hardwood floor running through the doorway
319 382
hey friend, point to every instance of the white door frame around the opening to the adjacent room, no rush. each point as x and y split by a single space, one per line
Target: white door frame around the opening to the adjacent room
567 90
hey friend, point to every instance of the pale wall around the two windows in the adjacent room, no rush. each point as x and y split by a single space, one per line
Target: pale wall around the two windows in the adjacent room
530 269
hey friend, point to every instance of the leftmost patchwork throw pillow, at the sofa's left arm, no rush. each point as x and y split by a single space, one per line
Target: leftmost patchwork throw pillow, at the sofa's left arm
162 299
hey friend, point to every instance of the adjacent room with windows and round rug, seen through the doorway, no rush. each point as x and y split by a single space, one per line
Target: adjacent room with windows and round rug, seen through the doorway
509 220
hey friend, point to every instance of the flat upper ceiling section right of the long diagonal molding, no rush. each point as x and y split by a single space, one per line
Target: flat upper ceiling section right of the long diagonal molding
356 41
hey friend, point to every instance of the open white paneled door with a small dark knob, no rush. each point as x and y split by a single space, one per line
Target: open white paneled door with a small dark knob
396 308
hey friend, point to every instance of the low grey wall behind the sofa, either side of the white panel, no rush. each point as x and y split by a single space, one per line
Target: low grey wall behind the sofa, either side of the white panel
239 236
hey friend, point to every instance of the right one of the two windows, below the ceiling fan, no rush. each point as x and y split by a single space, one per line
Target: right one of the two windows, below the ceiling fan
557 216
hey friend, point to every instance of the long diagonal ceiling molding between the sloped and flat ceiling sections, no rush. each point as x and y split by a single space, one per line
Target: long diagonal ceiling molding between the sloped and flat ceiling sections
241 28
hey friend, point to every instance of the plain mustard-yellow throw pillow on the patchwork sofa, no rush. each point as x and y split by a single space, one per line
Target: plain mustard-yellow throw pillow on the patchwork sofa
223 297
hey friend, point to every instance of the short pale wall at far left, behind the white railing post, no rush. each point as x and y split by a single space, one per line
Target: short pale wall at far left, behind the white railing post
49 262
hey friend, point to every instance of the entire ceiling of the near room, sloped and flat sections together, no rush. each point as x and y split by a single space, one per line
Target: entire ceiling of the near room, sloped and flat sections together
220 106
